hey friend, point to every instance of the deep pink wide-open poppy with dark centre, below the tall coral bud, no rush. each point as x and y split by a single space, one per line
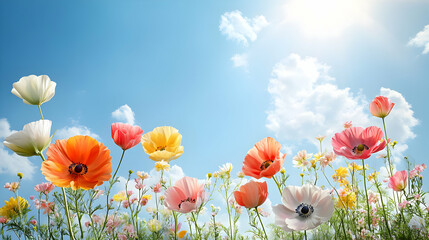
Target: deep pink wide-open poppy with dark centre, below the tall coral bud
358 143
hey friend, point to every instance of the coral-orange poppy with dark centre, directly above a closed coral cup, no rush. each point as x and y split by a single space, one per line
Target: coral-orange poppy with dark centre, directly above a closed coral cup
264 159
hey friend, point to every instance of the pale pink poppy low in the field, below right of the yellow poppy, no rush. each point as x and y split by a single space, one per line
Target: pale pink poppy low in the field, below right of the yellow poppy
185 196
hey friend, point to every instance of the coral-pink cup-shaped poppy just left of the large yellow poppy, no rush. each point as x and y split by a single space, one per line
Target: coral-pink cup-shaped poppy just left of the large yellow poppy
125 135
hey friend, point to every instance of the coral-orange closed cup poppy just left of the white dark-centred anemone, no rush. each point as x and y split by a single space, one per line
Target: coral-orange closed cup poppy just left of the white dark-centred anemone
252 194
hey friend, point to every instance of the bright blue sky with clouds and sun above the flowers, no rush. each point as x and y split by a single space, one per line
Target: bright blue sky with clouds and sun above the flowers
226 74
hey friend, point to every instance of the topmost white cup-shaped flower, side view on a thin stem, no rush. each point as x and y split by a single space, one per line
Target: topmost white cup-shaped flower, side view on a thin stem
34 90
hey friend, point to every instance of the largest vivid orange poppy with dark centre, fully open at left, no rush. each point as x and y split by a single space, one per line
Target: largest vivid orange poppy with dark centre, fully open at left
77 162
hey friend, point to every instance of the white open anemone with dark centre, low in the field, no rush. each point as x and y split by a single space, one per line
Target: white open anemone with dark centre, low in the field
303 208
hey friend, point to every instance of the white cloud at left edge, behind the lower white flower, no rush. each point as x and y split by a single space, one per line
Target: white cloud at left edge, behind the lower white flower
11 164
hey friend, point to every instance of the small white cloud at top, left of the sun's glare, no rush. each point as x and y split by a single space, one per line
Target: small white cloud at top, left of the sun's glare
241 29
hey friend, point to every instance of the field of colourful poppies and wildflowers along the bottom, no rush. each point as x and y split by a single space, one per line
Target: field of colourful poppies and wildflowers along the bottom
77 202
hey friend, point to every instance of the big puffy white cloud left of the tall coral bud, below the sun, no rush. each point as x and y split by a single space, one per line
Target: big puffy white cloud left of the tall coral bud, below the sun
306 103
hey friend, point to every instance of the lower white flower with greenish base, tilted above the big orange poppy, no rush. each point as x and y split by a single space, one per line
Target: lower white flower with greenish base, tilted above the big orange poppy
33 139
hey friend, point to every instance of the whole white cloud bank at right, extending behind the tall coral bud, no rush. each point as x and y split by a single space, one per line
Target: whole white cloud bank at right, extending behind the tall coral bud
306 103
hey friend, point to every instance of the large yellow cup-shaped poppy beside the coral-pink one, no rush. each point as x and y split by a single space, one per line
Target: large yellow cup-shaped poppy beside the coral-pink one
163 143
